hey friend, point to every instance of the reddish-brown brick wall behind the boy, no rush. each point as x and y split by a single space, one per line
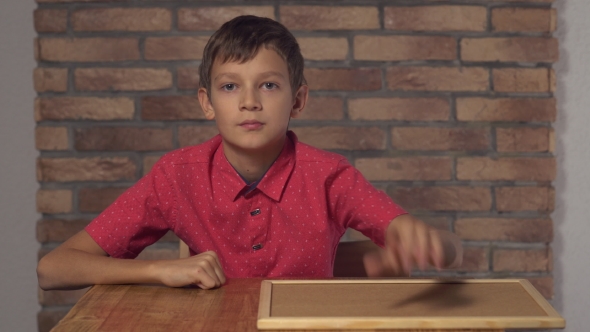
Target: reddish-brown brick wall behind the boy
446 105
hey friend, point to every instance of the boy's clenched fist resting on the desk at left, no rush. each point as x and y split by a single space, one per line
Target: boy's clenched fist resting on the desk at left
203 270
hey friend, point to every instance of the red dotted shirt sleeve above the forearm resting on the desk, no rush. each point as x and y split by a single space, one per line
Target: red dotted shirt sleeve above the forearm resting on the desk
138 218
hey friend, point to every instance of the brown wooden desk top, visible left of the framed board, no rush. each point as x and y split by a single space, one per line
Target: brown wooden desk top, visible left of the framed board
233 307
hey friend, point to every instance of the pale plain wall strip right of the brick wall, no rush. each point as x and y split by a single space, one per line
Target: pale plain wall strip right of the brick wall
572 213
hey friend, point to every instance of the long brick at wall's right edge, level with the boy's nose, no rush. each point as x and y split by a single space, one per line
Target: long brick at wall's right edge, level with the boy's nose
506 109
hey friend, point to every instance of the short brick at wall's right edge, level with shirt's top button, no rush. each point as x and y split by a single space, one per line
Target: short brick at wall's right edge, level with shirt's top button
509 199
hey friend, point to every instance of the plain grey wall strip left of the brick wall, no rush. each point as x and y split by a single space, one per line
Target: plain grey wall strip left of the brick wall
18 247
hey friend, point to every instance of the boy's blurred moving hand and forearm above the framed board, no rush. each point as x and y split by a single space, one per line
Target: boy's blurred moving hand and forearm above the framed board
410 243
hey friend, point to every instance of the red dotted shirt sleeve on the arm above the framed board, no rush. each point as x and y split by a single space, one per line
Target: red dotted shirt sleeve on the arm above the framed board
359 205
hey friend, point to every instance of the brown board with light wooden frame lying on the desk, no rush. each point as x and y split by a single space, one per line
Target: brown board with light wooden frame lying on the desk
404 304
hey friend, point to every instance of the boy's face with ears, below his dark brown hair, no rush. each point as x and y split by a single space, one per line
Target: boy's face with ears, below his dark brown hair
252 102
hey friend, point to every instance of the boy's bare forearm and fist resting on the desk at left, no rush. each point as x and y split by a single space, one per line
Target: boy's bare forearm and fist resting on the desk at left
80 262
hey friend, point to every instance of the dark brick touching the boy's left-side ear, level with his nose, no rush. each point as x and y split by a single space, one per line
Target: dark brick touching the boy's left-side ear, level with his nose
171 108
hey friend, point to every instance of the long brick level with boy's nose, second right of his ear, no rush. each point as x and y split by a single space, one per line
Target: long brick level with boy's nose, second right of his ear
401 109
